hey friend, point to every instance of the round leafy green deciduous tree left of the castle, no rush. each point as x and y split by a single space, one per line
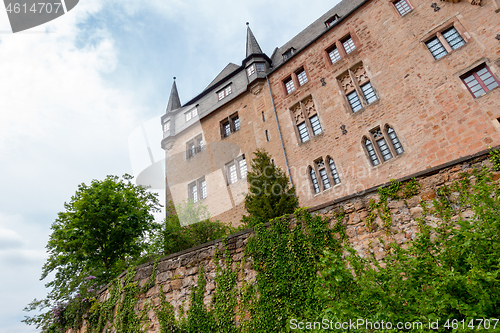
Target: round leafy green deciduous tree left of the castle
102 230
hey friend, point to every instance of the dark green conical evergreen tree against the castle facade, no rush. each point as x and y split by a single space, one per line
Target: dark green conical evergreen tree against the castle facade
270 192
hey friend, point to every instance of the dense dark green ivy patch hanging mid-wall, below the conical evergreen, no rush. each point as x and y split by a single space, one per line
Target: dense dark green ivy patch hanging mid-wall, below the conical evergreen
287 265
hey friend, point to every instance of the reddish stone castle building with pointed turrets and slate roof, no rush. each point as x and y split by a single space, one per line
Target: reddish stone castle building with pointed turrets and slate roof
371 91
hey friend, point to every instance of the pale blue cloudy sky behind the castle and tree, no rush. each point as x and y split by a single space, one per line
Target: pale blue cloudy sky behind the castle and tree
74 93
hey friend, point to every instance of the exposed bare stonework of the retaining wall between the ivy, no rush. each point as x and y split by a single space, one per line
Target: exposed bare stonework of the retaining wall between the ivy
177 273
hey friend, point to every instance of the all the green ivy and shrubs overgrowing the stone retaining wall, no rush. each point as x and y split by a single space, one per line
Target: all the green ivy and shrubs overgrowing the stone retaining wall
307 271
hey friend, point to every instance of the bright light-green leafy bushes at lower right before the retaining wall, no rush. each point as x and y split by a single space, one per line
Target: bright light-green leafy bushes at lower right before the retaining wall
450 271
